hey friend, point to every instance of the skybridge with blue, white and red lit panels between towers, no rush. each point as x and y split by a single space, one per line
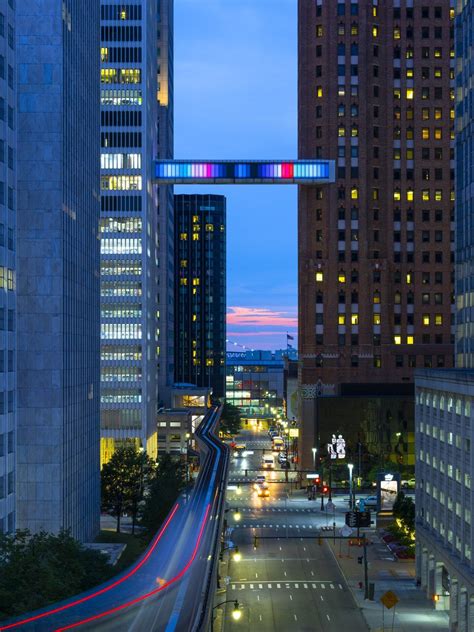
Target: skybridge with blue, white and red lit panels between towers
244 171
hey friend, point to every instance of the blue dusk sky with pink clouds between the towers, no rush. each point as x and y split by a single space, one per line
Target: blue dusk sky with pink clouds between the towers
235 97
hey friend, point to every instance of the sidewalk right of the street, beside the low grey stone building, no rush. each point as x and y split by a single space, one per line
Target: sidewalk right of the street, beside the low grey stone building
413 613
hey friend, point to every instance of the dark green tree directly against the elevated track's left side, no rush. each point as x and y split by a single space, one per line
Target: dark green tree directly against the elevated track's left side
165 486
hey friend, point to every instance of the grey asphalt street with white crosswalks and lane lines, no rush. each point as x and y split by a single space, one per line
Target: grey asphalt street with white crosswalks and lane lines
290 581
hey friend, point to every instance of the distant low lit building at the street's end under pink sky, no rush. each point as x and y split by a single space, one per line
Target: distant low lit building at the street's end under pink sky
255 383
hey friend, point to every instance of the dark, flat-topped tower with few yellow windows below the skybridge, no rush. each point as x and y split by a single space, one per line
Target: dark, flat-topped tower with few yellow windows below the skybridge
200 247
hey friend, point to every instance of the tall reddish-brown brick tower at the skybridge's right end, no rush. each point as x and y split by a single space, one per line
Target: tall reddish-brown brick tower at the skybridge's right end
375 248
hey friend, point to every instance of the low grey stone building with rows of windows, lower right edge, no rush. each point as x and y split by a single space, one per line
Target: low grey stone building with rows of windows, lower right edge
444 493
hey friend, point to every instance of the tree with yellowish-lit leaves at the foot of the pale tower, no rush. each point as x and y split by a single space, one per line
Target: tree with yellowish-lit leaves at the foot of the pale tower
123 482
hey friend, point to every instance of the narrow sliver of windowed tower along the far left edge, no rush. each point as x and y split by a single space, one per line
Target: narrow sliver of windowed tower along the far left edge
8 207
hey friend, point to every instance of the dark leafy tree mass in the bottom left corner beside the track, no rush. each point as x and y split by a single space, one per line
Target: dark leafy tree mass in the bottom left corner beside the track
39 569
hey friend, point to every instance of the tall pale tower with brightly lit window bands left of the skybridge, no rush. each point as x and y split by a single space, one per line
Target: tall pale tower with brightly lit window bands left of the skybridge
136 220
